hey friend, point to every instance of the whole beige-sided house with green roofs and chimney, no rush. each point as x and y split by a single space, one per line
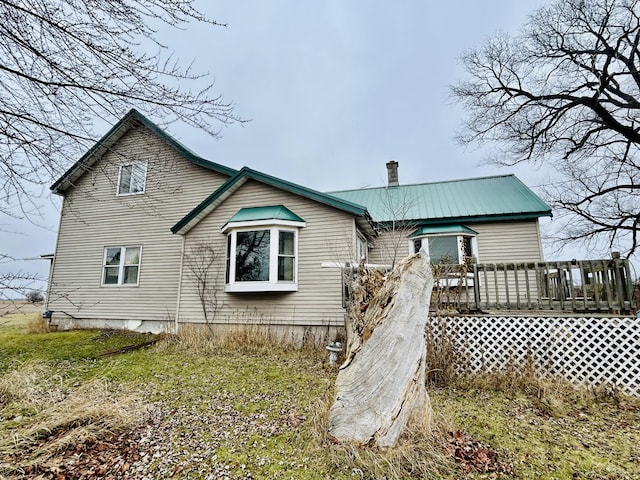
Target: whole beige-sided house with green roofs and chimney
153 236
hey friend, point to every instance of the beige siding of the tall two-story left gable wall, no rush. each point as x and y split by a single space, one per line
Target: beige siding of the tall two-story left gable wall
94 217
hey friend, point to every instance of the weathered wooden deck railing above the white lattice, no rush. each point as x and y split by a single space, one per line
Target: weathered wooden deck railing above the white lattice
579 286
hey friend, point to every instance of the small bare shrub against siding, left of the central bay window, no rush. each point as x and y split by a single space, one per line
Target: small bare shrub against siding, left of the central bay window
204 266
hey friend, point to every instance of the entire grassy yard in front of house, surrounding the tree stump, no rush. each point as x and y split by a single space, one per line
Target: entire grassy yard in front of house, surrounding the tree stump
253 386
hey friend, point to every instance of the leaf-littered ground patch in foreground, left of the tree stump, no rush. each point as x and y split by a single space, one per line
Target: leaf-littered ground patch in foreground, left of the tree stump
179 442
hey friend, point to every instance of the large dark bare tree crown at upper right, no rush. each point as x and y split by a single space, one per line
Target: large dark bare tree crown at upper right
565 91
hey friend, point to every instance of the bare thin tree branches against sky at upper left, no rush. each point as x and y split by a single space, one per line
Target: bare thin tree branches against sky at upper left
65 64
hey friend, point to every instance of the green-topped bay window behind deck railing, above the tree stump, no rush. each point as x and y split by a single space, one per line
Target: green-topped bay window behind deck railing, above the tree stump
448 244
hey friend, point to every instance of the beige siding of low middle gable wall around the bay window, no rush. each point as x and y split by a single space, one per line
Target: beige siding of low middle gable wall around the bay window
327 237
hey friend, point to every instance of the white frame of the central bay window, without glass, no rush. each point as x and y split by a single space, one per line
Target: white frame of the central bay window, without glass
272 284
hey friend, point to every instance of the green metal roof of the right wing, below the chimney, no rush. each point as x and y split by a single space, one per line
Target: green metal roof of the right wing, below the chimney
501 197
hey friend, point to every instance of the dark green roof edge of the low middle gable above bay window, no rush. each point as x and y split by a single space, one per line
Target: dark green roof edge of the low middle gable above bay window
243 175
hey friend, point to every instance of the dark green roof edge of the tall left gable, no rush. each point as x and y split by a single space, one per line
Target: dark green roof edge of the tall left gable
132 118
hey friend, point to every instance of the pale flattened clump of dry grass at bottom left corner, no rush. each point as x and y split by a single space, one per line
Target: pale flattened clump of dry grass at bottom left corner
46 414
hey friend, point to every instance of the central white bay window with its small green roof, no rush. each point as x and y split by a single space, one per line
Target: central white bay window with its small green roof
262 250
